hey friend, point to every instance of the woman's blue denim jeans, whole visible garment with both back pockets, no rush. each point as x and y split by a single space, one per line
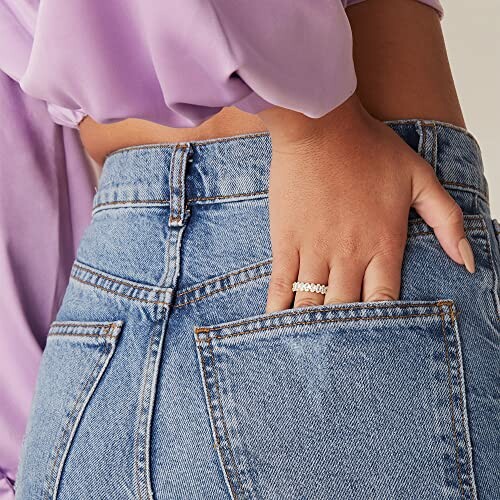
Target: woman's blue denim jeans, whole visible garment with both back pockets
164 378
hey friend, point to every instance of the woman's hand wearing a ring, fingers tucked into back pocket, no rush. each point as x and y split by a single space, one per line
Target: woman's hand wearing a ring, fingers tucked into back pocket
340 190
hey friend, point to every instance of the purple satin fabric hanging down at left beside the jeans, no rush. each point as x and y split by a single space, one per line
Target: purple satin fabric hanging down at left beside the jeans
46 191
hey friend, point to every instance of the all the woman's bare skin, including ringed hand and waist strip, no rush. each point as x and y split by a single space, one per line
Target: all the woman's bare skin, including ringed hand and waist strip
341 186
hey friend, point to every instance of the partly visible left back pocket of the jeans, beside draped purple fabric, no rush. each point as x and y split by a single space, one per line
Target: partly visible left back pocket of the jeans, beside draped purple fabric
74 360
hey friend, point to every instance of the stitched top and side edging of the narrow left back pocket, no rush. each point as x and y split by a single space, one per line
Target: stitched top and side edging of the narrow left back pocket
51 483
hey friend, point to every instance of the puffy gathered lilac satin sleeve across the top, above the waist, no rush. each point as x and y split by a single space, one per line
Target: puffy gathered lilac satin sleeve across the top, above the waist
179 62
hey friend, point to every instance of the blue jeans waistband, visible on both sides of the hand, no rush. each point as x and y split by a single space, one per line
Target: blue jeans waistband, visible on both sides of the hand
217 170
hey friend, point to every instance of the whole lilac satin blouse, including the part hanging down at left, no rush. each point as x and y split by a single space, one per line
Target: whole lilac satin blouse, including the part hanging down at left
176 63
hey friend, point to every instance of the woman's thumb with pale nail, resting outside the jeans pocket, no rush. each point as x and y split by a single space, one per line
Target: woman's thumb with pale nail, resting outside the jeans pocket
440 211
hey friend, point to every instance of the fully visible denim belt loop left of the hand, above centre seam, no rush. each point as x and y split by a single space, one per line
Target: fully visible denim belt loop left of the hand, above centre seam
177 184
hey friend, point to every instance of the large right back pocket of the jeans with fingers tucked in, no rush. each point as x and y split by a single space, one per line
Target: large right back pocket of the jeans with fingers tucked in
357 401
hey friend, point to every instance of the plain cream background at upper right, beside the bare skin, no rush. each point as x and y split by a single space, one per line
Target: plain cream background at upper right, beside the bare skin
472 34
